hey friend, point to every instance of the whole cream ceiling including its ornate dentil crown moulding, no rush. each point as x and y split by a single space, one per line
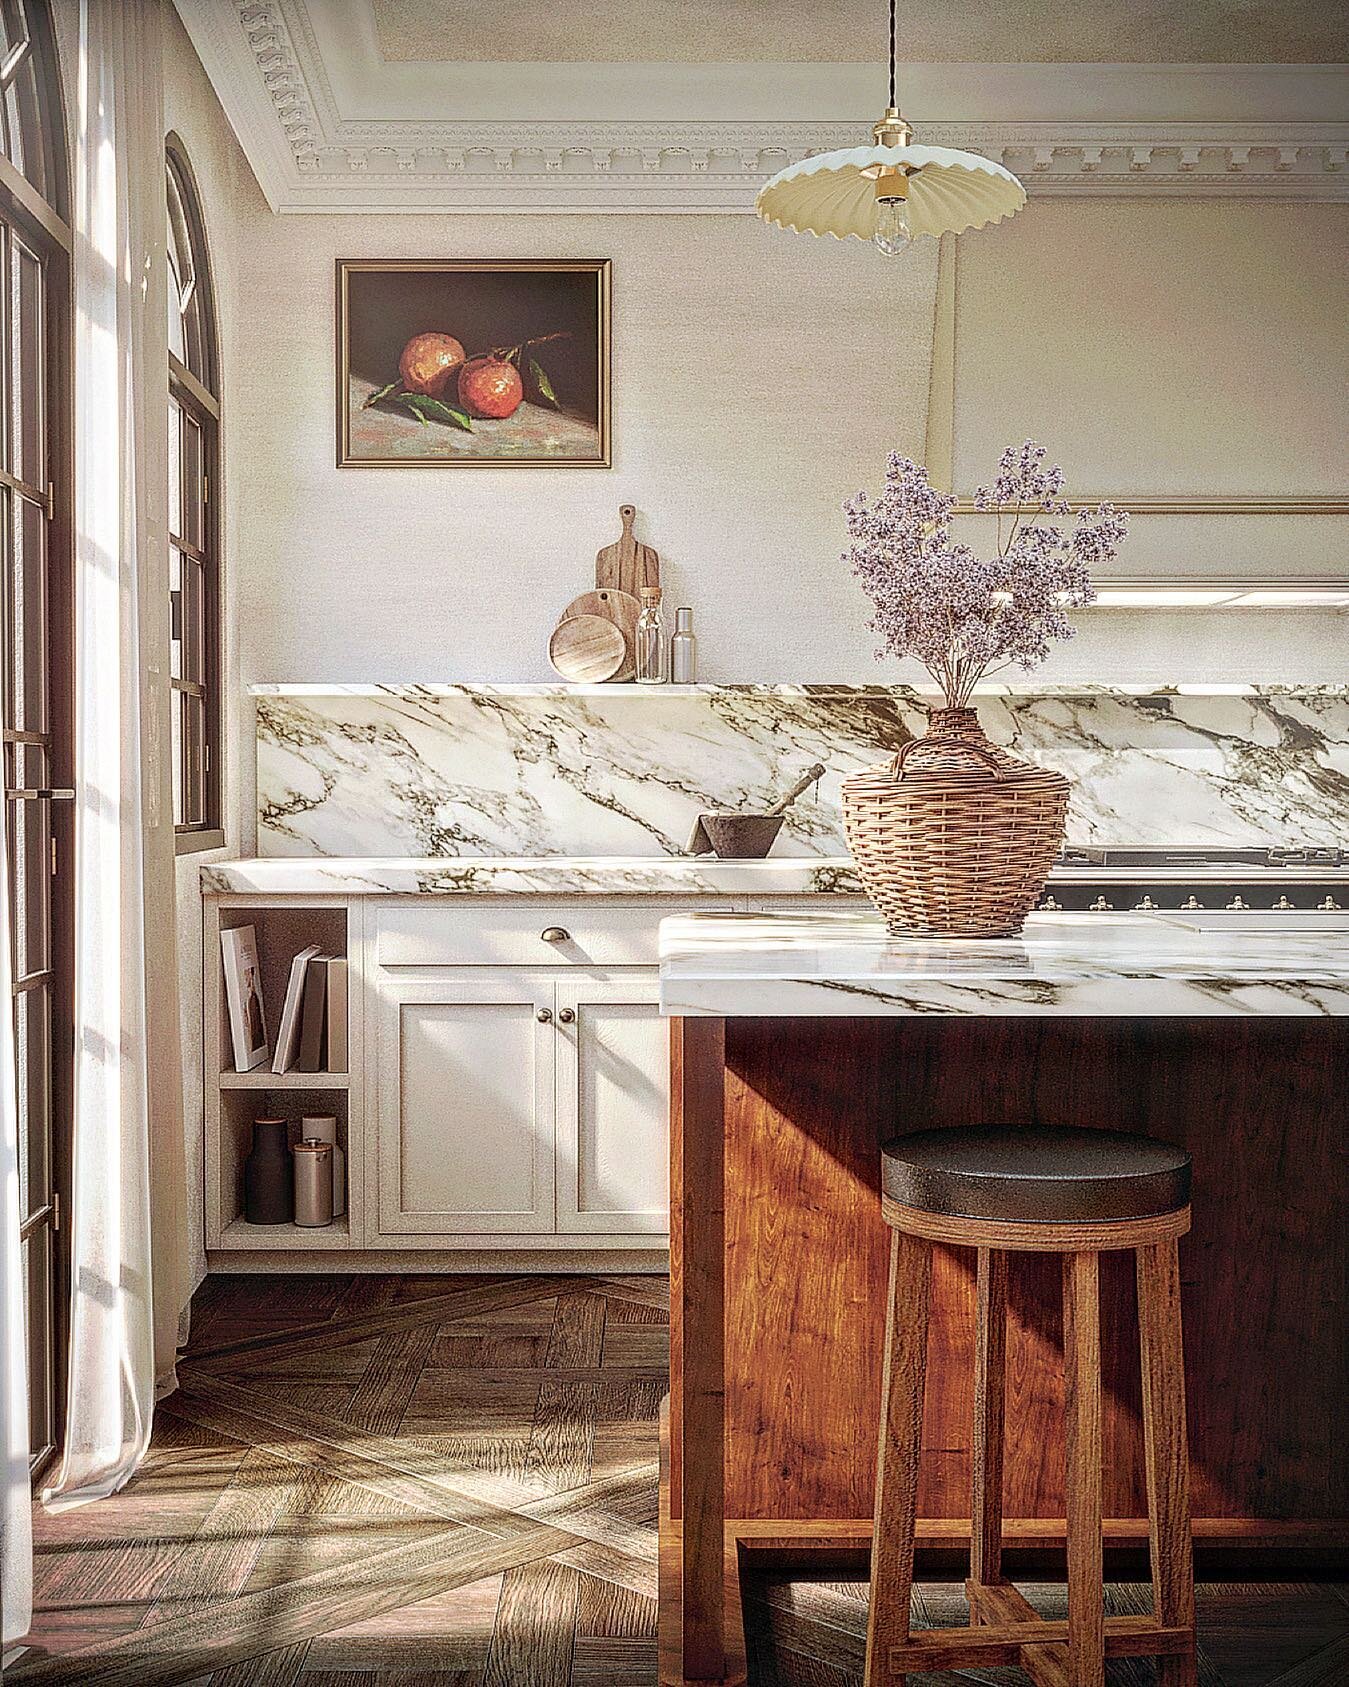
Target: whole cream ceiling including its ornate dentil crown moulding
689 105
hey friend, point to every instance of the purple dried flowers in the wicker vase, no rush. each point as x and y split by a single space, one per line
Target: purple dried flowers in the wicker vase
955 613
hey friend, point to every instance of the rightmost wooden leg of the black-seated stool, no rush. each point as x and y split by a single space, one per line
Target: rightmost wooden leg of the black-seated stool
1166 1452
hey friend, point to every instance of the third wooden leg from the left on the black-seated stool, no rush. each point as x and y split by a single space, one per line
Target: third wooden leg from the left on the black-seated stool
1087 1636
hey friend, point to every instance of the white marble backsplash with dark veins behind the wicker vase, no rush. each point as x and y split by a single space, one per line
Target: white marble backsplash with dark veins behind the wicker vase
537 770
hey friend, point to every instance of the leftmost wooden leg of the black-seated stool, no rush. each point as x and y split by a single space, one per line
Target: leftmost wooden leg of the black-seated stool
901 1447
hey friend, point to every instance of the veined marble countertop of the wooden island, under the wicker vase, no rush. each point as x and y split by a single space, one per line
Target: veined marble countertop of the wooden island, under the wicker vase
842 964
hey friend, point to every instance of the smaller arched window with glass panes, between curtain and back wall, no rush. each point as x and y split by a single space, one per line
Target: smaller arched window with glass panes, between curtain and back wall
195 569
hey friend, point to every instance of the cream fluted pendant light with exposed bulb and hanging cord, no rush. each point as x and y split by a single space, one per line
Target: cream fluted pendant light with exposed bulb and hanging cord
891 191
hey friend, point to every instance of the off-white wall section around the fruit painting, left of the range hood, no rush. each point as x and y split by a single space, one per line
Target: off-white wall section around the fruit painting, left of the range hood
756 380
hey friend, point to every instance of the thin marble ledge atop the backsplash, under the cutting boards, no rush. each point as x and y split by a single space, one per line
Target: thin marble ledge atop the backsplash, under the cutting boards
753 689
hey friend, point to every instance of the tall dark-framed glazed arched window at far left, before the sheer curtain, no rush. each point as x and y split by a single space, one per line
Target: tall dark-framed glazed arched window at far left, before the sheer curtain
38 698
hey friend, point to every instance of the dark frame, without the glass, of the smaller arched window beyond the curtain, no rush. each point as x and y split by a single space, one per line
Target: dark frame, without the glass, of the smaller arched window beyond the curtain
196 392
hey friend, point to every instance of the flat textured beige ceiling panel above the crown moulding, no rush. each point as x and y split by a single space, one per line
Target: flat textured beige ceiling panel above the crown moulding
854 31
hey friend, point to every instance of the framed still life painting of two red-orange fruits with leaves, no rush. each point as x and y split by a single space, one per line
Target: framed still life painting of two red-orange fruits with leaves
473 364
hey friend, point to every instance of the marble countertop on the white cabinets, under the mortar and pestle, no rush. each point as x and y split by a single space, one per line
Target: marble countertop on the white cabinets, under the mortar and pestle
658 876
